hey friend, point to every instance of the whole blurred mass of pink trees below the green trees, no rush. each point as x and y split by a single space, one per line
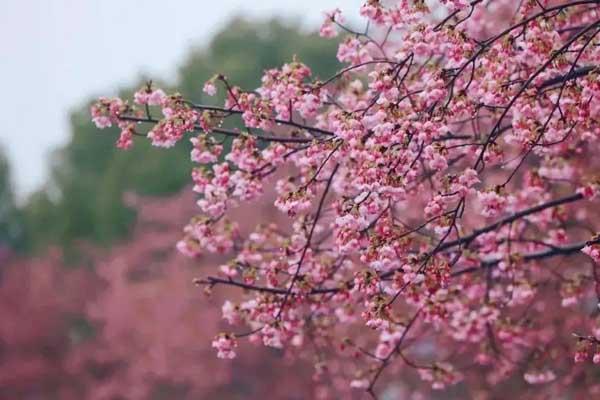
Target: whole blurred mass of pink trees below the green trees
136 328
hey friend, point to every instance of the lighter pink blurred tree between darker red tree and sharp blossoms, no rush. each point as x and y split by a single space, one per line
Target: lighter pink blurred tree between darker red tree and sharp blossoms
153 332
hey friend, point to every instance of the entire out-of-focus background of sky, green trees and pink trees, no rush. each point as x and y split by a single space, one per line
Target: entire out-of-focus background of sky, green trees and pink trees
94 301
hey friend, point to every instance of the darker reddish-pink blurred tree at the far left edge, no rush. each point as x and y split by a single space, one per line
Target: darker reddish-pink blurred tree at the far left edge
41 310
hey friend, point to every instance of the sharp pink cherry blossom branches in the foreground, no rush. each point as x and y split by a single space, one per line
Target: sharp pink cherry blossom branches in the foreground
429 192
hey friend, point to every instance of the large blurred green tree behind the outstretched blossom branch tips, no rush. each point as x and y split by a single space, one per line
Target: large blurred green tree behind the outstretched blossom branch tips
84 200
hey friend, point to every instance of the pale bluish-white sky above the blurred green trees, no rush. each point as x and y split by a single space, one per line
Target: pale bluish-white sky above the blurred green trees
56 53
